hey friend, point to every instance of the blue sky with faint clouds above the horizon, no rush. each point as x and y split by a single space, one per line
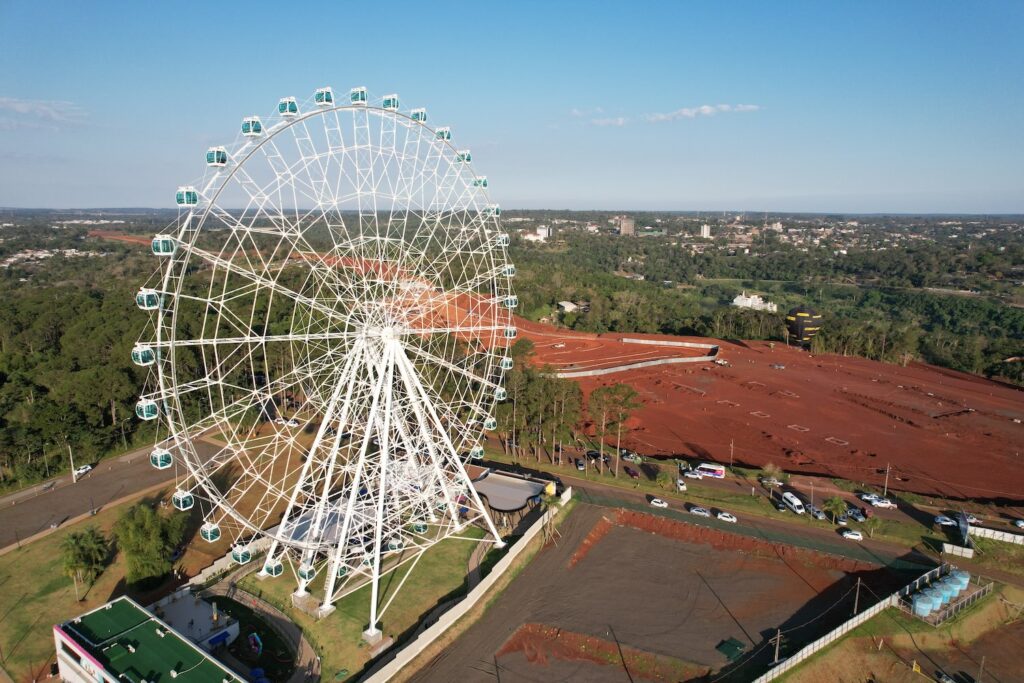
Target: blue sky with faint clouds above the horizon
870 107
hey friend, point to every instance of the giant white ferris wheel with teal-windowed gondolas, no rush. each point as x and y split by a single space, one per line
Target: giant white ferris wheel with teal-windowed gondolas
330 330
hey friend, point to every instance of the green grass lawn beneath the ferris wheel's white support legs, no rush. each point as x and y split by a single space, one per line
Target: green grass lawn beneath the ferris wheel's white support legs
338 638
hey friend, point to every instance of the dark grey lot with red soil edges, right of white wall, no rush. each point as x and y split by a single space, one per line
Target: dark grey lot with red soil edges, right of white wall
651 603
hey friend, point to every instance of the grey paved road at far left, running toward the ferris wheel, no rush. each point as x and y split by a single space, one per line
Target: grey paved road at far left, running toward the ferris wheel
33 510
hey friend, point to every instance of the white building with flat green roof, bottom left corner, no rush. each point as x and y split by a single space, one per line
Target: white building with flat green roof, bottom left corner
121 643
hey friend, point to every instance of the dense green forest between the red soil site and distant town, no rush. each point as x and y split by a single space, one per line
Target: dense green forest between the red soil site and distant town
690 294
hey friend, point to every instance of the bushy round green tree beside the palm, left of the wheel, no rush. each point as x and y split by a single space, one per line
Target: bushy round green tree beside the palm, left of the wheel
148 540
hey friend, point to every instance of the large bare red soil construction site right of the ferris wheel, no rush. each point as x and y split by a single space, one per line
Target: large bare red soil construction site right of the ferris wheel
944 433
